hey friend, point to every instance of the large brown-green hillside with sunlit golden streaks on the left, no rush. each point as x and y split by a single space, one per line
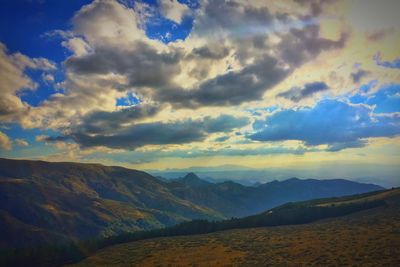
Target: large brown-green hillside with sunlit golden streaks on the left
42 202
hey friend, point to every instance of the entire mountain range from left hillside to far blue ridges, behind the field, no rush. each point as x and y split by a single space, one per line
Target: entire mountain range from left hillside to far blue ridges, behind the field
43 202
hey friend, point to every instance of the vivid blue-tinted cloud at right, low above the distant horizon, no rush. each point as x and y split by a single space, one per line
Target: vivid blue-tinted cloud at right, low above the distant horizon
330 122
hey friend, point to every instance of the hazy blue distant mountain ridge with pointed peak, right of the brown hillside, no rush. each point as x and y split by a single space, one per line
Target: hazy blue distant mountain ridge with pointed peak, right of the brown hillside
236 200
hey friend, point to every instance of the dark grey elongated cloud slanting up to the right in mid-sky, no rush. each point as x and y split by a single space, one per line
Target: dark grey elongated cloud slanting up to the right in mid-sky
232 88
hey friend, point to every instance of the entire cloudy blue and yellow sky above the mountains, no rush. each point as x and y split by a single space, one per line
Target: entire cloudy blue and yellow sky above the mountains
311 86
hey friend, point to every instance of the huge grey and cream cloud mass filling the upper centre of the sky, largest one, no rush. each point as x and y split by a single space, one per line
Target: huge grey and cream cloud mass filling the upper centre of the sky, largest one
112 55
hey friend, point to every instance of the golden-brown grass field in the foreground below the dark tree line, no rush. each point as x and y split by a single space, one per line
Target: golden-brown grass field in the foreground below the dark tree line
367 238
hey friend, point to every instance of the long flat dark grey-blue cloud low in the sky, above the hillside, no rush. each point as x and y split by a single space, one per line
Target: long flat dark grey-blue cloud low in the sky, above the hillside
159 133
